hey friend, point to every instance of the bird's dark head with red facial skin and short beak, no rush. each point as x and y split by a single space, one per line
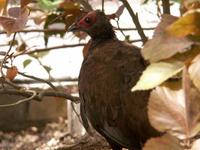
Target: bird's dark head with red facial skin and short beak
94 23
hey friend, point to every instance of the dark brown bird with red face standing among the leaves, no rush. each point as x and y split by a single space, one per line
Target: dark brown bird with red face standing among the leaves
108 73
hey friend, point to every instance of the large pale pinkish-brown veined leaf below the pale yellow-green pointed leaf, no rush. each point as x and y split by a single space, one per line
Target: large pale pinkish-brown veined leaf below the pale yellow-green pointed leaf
167 112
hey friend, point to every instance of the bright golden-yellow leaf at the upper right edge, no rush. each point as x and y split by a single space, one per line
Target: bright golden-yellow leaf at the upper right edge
188 24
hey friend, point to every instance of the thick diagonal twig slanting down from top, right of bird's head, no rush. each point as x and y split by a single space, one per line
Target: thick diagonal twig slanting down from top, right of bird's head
136 21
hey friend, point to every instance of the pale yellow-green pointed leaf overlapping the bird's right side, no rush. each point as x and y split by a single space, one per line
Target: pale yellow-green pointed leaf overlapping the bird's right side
157 73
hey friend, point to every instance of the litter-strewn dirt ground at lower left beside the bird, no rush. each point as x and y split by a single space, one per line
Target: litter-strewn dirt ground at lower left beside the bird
53 136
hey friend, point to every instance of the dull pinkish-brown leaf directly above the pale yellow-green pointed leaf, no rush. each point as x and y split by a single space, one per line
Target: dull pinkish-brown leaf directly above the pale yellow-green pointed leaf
163 45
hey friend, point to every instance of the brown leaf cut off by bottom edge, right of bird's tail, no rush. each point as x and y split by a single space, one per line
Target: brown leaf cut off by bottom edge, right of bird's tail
165 142
